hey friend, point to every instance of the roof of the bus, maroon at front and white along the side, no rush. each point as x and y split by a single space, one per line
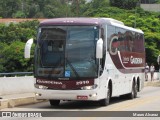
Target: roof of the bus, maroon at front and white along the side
87 21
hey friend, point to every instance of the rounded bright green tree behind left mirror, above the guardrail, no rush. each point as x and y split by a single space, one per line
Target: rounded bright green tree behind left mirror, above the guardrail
13 58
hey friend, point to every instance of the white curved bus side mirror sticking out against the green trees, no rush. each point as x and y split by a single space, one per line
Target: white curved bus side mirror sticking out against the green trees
27 49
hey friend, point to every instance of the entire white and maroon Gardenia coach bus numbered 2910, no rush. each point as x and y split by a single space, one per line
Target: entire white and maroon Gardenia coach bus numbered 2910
87 59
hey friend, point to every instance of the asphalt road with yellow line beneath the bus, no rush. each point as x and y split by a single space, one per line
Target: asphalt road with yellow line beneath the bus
148 100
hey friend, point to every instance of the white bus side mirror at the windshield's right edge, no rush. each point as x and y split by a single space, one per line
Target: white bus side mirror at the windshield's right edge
99 49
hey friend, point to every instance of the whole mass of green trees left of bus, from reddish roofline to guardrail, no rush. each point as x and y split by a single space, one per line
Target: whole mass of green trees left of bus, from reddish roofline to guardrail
13 39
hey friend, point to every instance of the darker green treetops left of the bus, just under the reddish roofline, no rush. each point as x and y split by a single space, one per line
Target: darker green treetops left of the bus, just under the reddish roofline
21 32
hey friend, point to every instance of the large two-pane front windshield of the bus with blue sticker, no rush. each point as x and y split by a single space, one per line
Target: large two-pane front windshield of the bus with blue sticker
66 51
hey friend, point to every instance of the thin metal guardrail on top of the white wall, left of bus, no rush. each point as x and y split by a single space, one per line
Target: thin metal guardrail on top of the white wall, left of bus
11 74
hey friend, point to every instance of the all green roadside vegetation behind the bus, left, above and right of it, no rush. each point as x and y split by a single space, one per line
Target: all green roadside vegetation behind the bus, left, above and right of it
13 36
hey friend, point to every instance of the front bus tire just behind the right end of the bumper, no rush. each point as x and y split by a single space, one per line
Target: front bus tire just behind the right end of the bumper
105 102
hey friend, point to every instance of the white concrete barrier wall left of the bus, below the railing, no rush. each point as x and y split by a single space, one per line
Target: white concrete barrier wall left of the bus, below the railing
16 85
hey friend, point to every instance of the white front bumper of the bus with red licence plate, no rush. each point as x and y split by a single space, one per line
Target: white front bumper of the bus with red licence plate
67 94
